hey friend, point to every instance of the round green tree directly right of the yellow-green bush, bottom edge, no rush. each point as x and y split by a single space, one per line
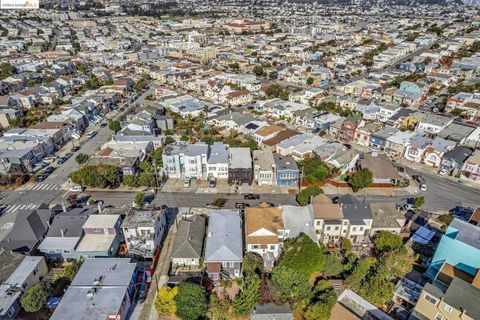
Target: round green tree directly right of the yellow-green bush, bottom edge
191 301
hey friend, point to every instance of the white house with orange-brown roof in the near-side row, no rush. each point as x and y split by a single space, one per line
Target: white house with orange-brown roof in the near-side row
264 233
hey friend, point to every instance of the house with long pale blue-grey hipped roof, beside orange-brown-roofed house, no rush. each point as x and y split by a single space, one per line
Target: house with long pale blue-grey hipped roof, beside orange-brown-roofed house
224 247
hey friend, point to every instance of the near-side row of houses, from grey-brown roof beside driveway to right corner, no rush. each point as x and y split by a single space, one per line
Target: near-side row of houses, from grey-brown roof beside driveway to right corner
264 230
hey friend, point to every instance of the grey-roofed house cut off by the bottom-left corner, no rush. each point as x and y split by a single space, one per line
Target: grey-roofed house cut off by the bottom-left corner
26 274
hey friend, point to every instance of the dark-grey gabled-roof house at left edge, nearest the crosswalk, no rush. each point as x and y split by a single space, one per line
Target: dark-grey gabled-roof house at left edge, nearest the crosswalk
23 231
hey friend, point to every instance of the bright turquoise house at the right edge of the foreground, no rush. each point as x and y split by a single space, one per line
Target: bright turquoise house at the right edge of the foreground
459 247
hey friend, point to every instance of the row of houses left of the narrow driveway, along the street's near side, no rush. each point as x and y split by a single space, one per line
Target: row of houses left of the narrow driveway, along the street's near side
81 233
